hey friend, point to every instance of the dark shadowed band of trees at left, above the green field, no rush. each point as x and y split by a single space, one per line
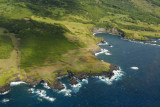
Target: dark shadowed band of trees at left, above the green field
28 25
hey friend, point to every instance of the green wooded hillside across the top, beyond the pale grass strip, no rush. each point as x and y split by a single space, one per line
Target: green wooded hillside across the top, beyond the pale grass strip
126 15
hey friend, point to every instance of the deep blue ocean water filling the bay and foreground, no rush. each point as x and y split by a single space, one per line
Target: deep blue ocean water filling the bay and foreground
136 88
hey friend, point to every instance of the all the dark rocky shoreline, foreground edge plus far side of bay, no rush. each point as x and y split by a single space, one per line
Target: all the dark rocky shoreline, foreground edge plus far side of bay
74 78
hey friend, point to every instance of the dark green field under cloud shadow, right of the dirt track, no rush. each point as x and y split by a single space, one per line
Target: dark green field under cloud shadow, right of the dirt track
39 42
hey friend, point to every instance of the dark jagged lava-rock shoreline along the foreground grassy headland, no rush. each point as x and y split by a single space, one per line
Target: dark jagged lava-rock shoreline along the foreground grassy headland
73 79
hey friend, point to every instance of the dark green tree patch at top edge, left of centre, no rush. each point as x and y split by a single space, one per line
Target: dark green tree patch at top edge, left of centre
46 8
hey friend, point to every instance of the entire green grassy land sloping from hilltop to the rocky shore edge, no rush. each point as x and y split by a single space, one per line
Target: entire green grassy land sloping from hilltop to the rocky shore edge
40 37
